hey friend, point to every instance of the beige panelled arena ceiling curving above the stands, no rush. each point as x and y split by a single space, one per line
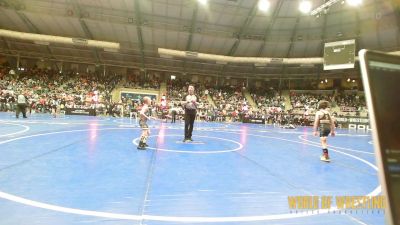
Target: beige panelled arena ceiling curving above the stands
223 27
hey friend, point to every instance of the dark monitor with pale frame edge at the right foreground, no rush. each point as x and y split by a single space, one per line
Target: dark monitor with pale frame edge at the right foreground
381 79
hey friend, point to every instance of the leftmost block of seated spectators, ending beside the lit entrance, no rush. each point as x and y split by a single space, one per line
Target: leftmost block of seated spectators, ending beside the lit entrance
47 89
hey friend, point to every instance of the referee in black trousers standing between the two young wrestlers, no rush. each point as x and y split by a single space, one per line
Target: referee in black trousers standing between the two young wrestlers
190 106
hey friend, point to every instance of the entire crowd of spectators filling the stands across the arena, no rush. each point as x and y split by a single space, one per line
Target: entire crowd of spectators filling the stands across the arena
46 89
